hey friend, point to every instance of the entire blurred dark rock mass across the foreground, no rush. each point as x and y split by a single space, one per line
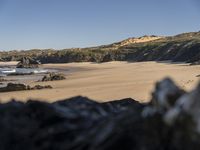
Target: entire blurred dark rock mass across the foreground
82 124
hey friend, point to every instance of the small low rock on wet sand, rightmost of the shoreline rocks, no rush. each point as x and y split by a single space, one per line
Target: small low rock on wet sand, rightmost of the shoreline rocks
53 77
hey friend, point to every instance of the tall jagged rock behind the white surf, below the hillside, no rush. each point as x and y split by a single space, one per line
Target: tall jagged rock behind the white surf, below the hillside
27 62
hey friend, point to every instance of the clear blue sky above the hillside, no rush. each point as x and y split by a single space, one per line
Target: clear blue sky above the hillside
27 24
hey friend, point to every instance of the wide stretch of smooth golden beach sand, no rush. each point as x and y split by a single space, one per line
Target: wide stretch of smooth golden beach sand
110 81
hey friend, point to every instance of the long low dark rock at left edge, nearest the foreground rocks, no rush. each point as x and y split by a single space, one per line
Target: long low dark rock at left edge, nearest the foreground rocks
21 87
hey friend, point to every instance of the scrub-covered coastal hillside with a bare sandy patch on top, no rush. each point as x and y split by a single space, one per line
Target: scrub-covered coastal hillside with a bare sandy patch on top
183 47
